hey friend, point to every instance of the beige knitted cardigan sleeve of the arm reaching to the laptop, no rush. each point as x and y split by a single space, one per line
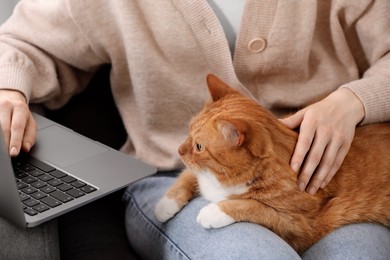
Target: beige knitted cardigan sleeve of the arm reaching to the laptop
44 54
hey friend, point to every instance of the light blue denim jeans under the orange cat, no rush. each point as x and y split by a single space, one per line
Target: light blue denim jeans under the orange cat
183 238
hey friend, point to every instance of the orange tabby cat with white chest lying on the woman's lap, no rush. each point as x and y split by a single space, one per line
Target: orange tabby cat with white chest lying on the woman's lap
238 155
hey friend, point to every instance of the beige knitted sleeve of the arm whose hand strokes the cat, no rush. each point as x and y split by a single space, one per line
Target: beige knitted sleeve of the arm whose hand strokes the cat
369 38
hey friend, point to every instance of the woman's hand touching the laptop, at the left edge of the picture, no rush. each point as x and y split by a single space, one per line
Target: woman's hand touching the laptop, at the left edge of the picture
17 123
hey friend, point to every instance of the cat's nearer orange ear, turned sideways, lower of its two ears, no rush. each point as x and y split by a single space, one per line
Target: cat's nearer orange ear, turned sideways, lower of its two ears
233 131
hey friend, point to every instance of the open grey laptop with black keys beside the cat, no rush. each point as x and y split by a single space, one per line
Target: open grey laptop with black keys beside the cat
63 171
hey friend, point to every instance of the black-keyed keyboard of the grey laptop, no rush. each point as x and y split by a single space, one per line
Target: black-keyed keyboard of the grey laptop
42 186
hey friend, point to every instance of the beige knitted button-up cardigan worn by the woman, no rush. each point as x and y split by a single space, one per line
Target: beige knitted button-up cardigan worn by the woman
288 53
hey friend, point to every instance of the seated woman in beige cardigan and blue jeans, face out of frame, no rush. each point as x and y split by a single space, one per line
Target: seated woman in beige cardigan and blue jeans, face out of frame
287 55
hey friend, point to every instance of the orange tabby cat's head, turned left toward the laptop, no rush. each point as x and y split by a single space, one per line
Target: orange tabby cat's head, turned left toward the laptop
231 134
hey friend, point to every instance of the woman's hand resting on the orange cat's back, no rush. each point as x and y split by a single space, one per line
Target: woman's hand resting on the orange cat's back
327 129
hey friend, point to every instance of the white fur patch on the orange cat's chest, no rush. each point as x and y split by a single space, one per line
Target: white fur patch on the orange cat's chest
212 190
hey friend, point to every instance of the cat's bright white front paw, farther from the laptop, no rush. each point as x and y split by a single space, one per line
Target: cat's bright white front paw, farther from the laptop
211 216
